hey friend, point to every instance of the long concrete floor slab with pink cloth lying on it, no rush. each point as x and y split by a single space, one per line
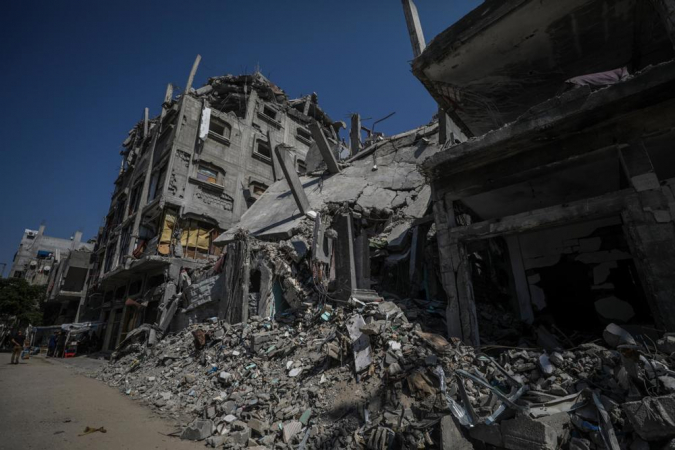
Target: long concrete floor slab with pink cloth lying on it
574 123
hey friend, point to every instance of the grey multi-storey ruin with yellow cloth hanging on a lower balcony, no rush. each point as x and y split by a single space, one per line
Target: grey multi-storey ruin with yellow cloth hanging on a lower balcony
188 175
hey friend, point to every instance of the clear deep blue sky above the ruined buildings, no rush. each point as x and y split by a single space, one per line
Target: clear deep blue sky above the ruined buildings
76 76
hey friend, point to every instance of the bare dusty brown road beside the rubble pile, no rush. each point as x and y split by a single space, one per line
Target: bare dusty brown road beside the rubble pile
45 404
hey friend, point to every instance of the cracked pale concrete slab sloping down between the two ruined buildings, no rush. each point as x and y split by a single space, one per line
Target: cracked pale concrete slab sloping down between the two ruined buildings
387 177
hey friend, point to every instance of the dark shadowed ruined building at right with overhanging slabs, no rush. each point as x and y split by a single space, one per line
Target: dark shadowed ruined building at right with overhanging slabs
560 206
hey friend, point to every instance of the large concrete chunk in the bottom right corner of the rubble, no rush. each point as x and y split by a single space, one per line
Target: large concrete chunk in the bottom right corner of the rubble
652 417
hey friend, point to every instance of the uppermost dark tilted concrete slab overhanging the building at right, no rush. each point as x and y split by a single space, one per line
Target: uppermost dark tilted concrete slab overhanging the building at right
508 55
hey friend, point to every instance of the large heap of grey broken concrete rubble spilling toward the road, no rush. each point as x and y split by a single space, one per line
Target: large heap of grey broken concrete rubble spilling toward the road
362 375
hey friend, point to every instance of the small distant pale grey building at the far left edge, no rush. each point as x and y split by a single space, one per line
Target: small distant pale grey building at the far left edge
38 254
